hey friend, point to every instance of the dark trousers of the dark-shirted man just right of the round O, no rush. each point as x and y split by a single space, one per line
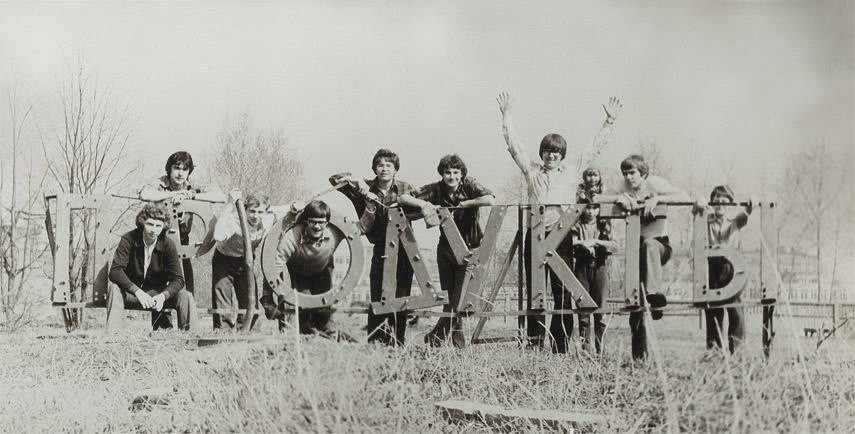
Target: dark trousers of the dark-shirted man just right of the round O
390 328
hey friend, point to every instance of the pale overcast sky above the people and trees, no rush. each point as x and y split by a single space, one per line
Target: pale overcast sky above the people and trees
723 84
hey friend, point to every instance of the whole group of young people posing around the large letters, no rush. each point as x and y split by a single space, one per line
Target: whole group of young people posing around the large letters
148 273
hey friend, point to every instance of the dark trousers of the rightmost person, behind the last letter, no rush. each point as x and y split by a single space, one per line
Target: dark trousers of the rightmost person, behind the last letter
721 272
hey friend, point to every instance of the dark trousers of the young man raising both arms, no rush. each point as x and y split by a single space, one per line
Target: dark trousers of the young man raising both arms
560 326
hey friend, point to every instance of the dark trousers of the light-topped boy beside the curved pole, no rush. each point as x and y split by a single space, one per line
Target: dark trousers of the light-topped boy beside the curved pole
229 273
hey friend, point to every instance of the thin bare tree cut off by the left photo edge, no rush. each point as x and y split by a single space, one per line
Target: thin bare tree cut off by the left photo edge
21 227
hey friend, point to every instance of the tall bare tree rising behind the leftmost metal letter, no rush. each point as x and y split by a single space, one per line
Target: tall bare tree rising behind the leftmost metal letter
85 153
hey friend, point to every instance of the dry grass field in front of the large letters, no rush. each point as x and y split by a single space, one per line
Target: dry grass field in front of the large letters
87 381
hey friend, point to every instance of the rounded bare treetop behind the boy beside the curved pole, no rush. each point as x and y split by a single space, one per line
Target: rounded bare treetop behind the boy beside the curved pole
257 161
